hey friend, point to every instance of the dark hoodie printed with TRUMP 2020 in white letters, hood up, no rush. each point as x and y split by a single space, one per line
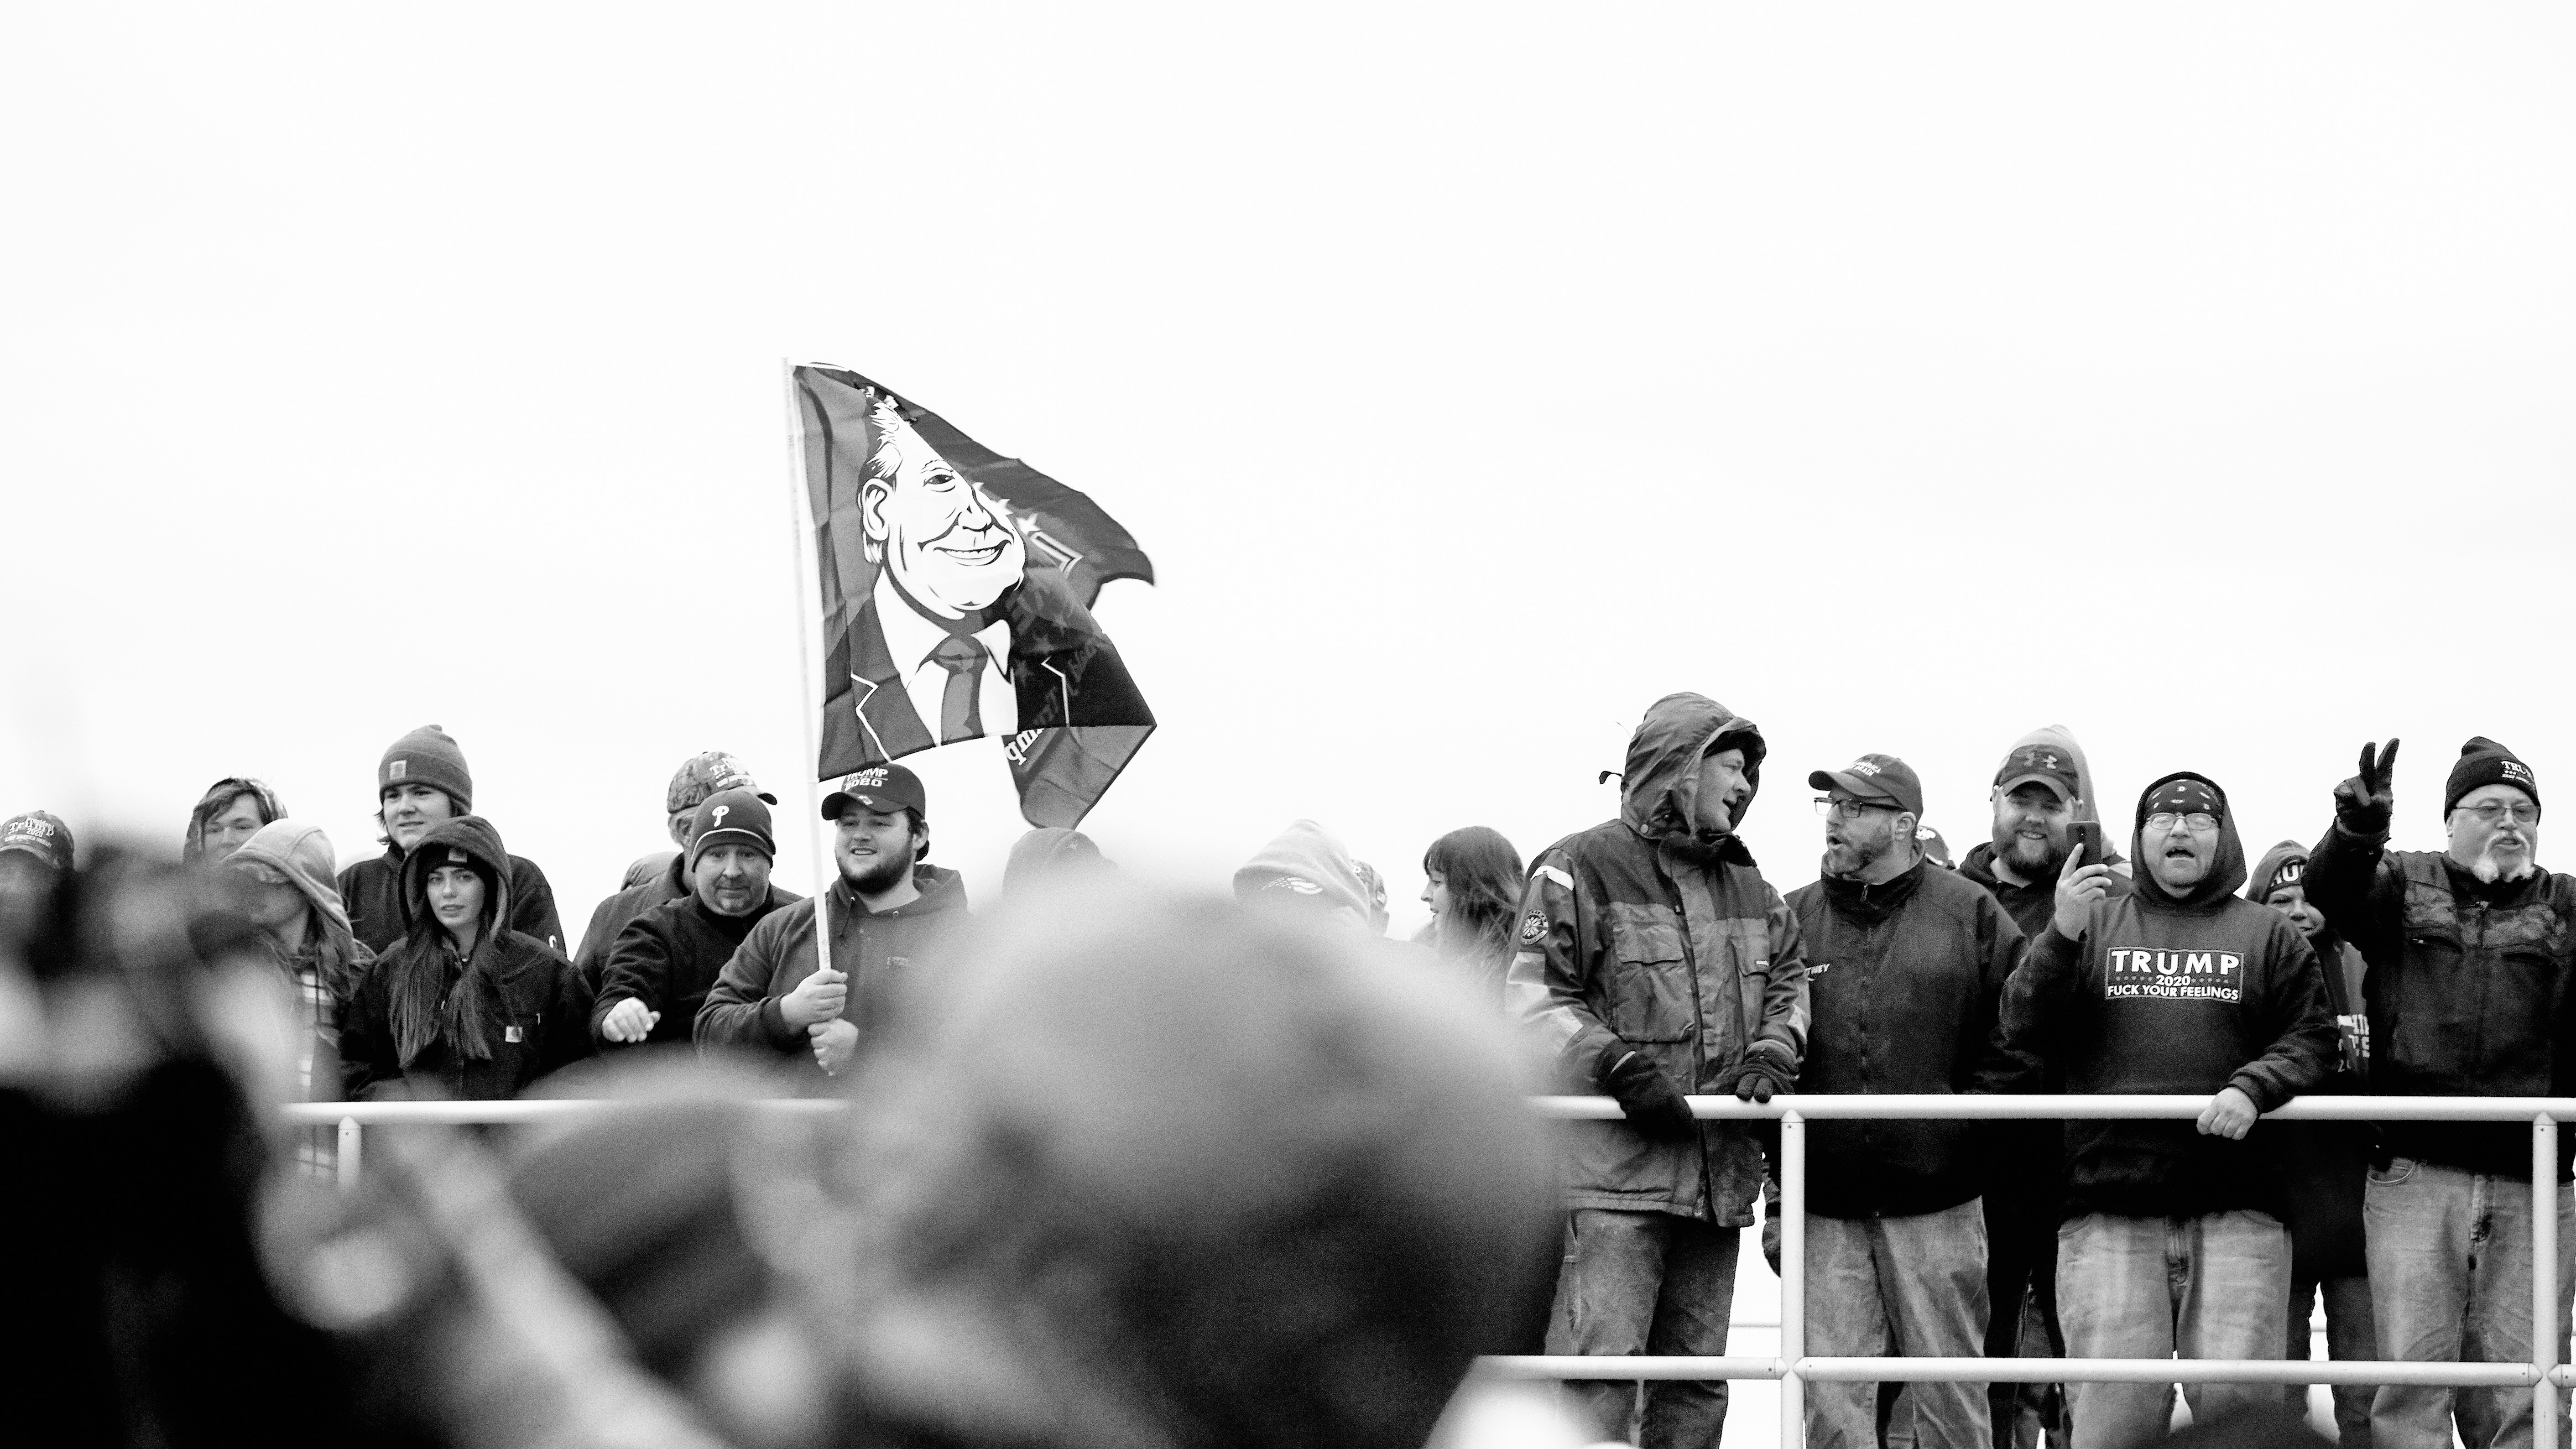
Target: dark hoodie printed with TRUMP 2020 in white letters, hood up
2178 995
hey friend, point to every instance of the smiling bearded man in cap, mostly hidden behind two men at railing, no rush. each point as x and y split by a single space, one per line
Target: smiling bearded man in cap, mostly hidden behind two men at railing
2039 794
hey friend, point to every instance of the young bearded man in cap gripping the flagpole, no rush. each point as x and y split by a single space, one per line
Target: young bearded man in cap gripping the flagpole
887 912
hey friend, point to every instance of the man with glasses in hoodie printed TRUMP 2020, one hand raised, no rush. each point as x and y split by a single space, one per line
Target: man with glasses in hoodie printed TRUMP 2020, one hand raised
2173 1237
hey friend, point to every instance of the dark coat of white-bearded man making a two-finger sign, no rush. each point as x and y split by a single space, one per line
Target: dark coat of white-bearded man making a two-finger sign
2467 990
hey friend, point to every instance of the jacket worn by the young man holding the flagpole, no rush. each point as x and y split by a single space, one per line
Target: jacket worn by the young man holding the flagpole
880 951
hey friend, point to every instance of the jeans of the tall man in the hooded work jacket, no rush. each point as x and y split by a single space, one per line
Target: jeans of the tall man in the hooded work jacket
1647 1283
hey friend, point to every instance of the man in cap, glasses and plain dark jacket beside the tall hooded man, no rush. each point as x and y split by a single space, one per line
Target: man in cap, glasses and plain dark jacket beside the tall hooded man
1908 969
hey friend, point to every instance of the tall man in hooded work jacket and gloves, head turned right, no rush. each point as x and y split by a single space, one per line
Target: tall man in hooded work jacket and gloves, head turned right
1655 961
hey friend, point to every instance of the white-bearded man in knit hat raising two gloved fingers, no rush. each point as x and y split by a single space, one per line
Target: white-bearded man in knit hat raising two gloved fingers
2467 987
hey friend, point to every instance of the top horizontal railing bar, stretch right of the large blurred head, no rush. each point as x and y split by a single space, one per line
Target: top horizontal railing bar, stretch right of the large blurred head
2098 1108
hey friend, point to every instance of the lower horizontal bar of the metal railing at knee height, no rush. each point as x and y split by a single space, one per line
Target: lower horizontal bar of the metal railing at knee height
1629 1368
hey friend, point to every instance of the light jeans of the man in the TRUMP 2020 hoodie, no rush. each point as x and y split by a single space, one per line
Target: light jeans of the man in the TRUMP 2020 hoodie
2150 1288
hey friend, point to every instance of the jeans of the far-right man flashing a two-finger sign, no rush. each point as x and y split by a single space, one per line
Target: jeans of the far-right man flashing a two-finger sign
2451 1278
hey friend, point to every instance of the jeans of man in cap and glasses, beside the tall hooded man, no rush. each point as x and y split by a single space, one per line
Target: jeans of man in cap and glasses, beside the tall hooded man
1897 1286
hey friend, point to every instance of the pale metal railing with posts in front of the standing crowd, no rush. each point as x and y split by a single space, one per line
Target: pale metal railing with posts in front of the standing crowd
1794 1368
